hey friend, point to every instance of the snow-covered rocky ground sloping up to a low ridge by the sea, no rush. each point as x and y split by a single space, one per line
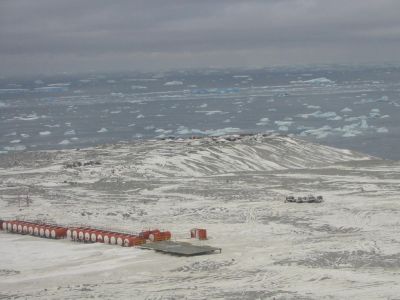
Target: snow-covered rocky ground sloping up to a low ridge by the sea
347 247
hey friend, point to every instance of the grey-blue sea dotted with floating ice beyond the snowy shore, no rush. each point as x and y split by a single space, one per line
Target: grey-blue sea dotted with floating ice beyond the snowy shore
356 108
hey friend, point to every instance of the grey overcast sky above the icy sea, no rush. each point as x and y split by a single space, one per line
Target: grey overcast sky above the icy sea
51 36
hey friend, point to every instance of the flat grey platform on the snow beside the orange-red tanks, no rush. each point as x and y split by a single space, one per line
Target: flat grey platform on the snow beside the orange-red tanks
180 248
